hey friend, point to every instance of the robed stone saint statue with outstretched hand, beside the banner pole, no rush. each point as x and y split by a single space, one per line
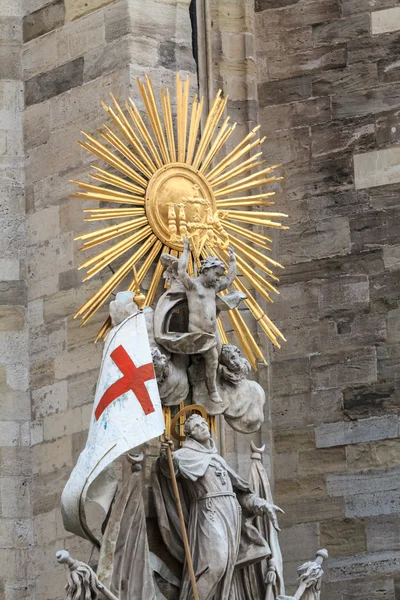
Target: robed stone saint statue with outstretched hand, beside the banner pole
219 508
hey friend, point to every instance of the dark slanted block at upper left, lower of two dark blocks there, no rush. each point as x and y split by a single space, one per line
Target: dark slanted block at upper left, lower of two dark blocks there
54 82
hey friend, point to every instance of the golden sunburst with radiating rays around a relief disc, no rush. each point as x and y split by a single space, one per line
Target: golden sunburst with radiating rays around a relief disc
167 182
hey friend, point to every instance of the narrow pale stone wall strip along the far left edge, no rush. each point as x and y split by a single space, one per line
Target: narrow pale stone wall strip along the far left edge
15 469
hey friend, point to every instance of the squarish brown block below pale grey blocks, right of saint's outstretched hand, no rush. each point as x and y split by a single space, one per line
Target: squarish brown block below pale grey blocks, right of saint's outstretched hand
343 538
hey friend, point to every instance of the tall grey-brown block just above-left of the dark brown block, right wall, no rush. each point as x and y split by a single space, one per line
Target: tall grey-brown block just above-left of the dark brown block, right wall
352 367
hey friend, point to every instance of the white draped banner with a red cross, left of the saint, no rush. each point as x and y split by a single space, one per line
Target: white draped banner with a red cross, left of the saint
127 412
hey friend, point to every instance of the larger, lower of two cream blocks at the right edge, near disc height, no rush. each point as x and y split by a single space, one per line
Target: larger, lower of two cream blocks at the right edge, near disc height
379 167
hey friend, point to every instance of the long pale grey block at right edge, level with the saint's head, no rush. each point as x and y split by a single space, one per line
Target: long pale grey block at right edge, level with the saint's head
364 430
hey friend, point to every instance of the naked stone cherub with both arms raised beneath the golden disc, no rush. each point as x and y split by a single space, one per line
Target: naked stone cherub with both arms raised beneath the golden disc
201 295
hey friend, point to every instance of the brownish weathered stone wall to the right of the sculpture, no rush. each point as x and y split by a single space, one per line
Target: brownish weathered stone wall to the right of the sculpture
329 103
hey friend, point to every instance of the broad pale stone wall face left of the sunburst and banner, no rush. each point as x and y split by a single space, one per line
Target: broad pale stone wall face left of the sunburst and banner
75 52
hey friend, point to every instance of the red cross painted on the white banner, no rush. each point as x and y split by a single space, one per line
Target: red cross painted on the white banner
134 379
